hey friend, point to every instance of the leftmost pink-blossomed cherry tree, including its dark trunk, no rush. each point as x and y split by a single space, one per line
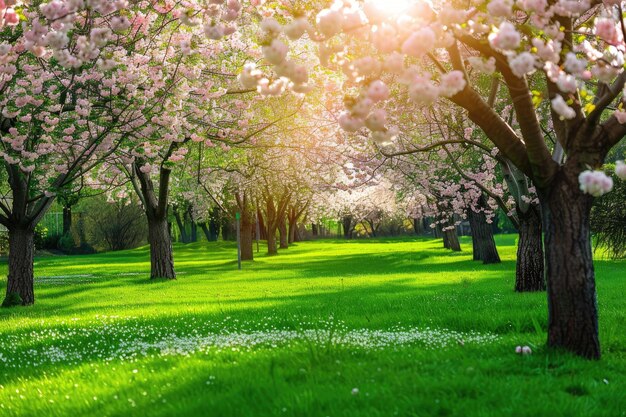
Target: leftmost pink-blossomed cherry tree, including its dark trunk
57 120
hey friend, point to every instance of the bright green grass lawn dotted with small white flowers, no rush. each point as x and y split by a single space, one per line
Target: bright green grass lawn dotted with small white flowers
327 328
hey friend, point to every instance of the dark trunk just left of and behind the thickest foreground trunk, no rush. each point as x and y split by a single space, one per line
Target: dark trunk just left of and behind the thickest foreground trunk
529 273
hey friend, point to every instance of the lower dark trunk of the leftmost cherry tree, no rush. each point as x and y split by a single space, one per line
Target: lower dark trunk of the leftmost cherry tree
20 280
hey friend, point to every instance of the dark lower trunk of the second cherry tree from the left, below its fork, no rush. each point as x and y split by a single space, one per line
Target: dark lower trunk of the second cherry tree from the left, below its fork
161 254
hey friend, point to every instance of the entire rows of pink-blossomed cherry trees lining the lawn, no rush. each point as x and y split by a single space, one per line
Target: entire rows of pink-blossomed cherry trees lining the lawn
163 99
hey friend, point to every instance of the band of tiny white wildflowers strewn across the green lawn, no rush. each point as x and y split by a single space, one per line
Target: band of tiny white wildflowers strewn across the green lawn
114 338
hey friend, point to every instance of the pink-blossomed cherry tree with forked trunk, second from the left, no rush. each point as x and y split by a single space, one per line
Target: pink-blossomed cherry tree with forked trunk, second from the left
186 69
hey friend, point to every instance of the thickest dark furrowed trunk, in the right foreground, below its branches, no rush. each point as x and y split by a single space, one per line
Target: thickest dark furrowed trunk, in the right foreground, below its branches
572 304
